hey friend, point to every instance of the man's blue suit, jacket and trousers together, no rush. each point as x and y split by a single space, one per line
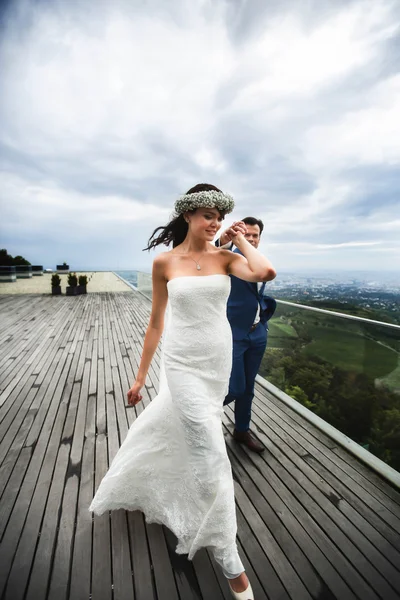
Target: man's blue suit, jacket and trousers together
248 346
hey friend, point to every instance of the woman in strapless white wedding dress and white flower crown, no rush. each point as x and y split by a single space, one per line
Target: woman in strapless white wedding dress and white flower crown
173 464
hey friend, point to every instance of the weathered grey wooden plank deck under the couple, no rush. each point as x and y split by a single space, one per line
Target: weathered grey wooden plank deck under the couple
312 521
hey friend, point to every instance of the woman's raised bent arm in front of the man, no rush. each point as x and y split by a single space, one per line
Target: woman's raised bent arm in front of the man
252 266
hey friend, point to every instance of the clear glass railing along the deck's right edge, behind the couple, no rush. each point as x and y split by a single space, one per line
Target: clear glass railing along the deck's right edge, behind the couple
344 369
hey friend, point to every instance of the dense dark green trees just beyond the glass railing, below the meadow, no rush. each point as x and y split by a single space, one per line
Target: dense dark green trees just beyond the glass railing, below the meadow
348 400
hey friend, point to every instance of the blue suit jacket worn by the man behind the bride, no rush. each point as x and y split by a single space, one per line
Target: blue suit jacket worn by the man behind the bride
242 306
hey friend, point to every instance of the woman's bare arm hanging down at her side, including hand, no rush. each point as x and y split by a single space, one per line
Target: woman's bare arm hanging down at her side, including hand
154 329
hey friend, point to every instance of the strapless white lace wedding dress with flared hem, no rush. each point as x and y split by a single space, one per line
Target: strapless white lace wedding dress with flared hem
173 465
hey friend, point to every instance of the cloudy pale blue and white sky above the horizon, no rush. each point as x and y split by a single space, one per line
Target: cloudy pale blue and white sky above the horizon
110 110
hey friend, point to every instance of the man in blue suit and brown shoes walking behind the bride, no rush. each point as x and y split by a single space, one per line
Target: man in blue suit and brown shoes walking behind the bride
248 313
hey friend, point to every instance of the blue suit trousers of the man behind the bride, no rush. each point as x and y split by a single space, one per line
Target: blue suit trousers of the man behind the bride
246 360
